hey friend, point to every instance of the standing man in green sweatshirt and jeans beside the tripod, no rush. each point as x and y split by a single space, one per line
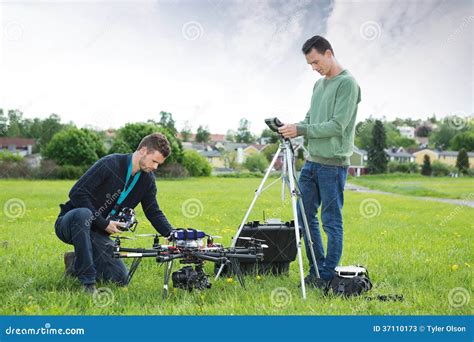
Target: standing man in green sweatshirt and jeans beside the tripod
328 129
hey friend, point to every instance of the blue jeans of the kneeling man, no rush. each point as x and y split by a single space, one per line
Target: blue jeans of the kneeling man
93 251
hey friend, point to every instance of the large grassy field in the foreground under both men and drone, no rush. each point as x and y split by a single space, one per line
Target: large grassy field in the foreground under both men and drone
409 247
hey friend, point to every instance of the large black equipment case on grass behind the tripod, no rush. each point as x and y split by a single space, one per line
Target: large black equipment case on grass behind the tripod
279 237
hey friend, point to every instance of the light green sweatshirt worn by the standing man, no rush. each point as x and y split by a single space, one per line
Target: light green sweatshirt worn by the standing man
330 122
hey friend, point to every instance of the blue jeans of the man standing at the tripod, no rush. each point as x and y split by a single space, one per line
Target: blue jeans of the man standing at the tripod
323 186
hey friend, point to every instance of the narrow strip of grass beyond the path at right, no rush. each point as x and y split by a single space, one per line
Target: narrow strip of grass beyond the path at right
417 185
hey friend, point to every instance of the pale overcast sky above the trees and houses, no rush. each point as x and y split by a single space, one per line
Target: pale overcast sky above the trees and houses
212 62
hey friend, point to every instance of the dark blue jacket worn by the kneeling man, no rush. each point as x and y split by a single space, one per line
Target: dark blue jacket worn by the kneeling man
99 188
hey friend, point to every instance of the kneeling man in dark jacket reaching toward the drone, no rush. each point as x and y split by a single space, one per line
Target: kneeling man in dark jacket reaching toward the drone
112 183
